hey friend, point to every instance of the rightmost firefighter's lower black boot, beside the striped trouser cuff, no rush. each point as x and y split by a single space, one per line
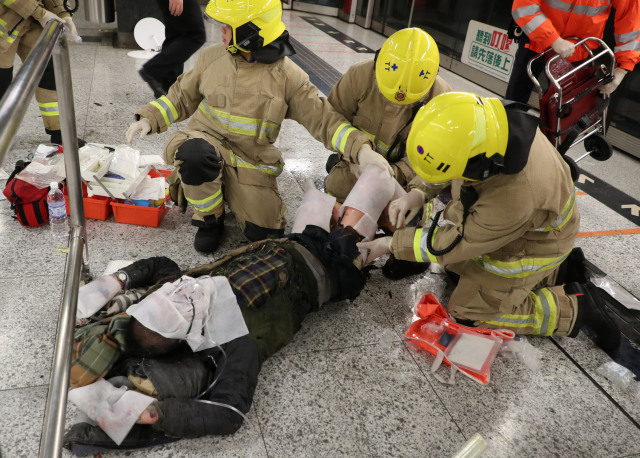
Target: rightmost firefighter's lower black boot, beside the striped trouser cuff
592 313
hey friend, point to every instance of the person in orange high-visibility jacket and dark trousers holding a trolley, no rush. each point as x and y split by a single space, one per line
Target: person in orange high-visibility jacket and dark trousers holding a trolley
554 23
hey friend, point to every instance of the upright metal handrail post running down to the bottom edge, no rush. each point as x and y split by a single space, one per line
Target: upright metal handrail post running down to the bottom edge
52 437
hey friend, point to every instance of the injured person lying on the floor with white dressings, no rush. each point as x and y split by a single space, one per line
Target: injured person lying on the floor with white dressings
191 348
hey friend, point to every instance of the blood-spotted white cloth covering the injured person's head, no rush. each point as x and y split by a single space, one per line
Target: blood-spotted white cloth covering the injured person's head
203 311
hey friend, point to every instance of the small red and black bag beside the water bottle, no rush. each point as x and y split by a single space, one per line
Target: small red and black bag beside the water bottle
28 202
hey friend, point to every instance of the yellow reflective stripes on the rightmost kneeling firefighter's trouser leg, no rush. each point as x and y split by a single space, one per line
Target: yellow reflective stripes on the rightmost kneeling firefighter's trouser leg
543 321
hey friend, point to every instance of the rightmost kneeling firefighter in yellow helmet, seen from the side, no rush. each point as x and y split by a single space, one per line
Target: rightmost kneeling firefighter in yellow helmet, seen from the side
513 220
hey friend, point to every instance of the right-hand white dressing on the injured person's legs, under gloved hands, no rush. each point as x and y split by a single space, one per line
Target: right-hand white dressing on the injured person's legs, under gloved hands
370 195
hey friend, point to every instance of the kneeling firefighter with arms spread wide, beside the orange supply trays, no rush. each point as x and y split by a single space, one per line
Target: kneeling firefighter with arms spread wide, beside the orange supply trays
237 96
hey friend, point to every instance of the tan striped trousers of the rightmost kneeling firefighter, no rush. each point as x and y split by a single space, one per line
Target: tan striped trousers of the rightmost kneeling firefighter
530 305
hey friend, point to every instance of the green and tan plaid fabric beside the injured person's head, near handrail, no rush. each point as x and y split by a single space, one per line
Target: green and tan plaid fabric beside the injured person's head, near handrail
96 348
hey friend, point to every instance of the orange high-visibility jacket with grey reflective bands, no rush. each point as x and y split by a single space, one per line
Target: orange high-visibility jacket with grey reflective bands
544 21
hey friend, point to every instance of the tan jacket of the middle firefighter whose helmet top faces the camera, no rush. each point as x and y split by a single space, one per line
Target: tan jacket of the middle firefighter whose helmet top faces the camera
357 98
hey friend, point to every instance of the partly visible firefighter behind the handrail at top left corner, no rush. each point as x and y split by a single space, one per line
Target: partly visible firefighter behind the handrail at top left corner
21 24
